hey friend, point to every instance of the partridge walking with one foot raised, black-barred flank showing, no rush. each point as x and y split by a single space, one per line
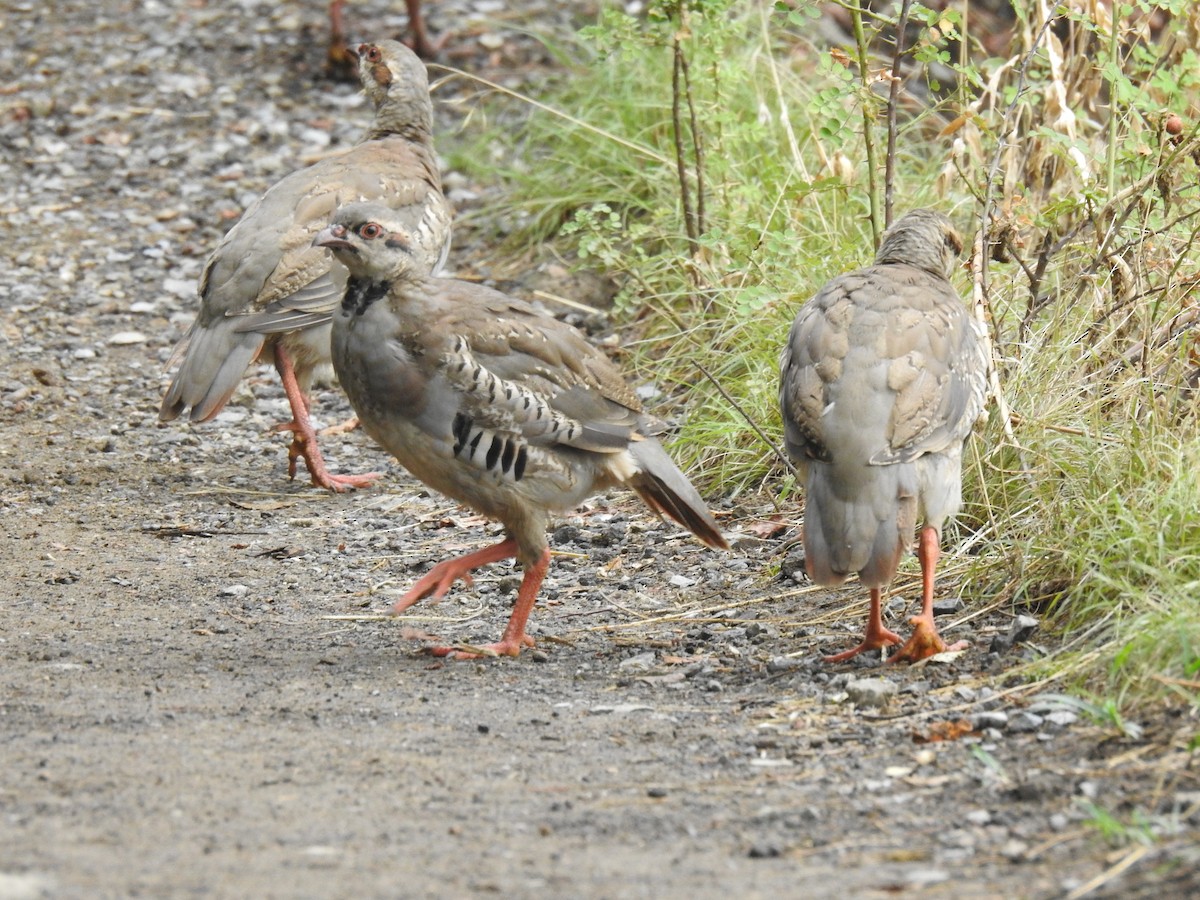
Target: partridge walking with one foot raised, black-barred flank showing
493 403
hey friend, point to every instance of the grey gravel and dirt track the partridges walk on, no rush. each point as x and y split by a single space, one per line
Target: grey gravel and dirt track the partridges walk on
201 694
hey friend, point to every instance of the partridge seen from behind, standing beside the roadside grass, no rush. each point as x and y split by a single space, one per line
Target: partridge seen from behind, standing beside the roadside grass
883 379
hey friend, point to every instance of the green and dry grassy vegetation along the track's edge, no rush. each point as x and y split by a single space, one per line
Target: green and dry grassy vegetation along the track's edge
722 160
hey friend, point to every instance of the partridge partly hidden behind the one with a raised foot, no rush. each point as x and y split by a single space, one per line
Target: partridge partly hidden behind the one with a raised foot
267 293
